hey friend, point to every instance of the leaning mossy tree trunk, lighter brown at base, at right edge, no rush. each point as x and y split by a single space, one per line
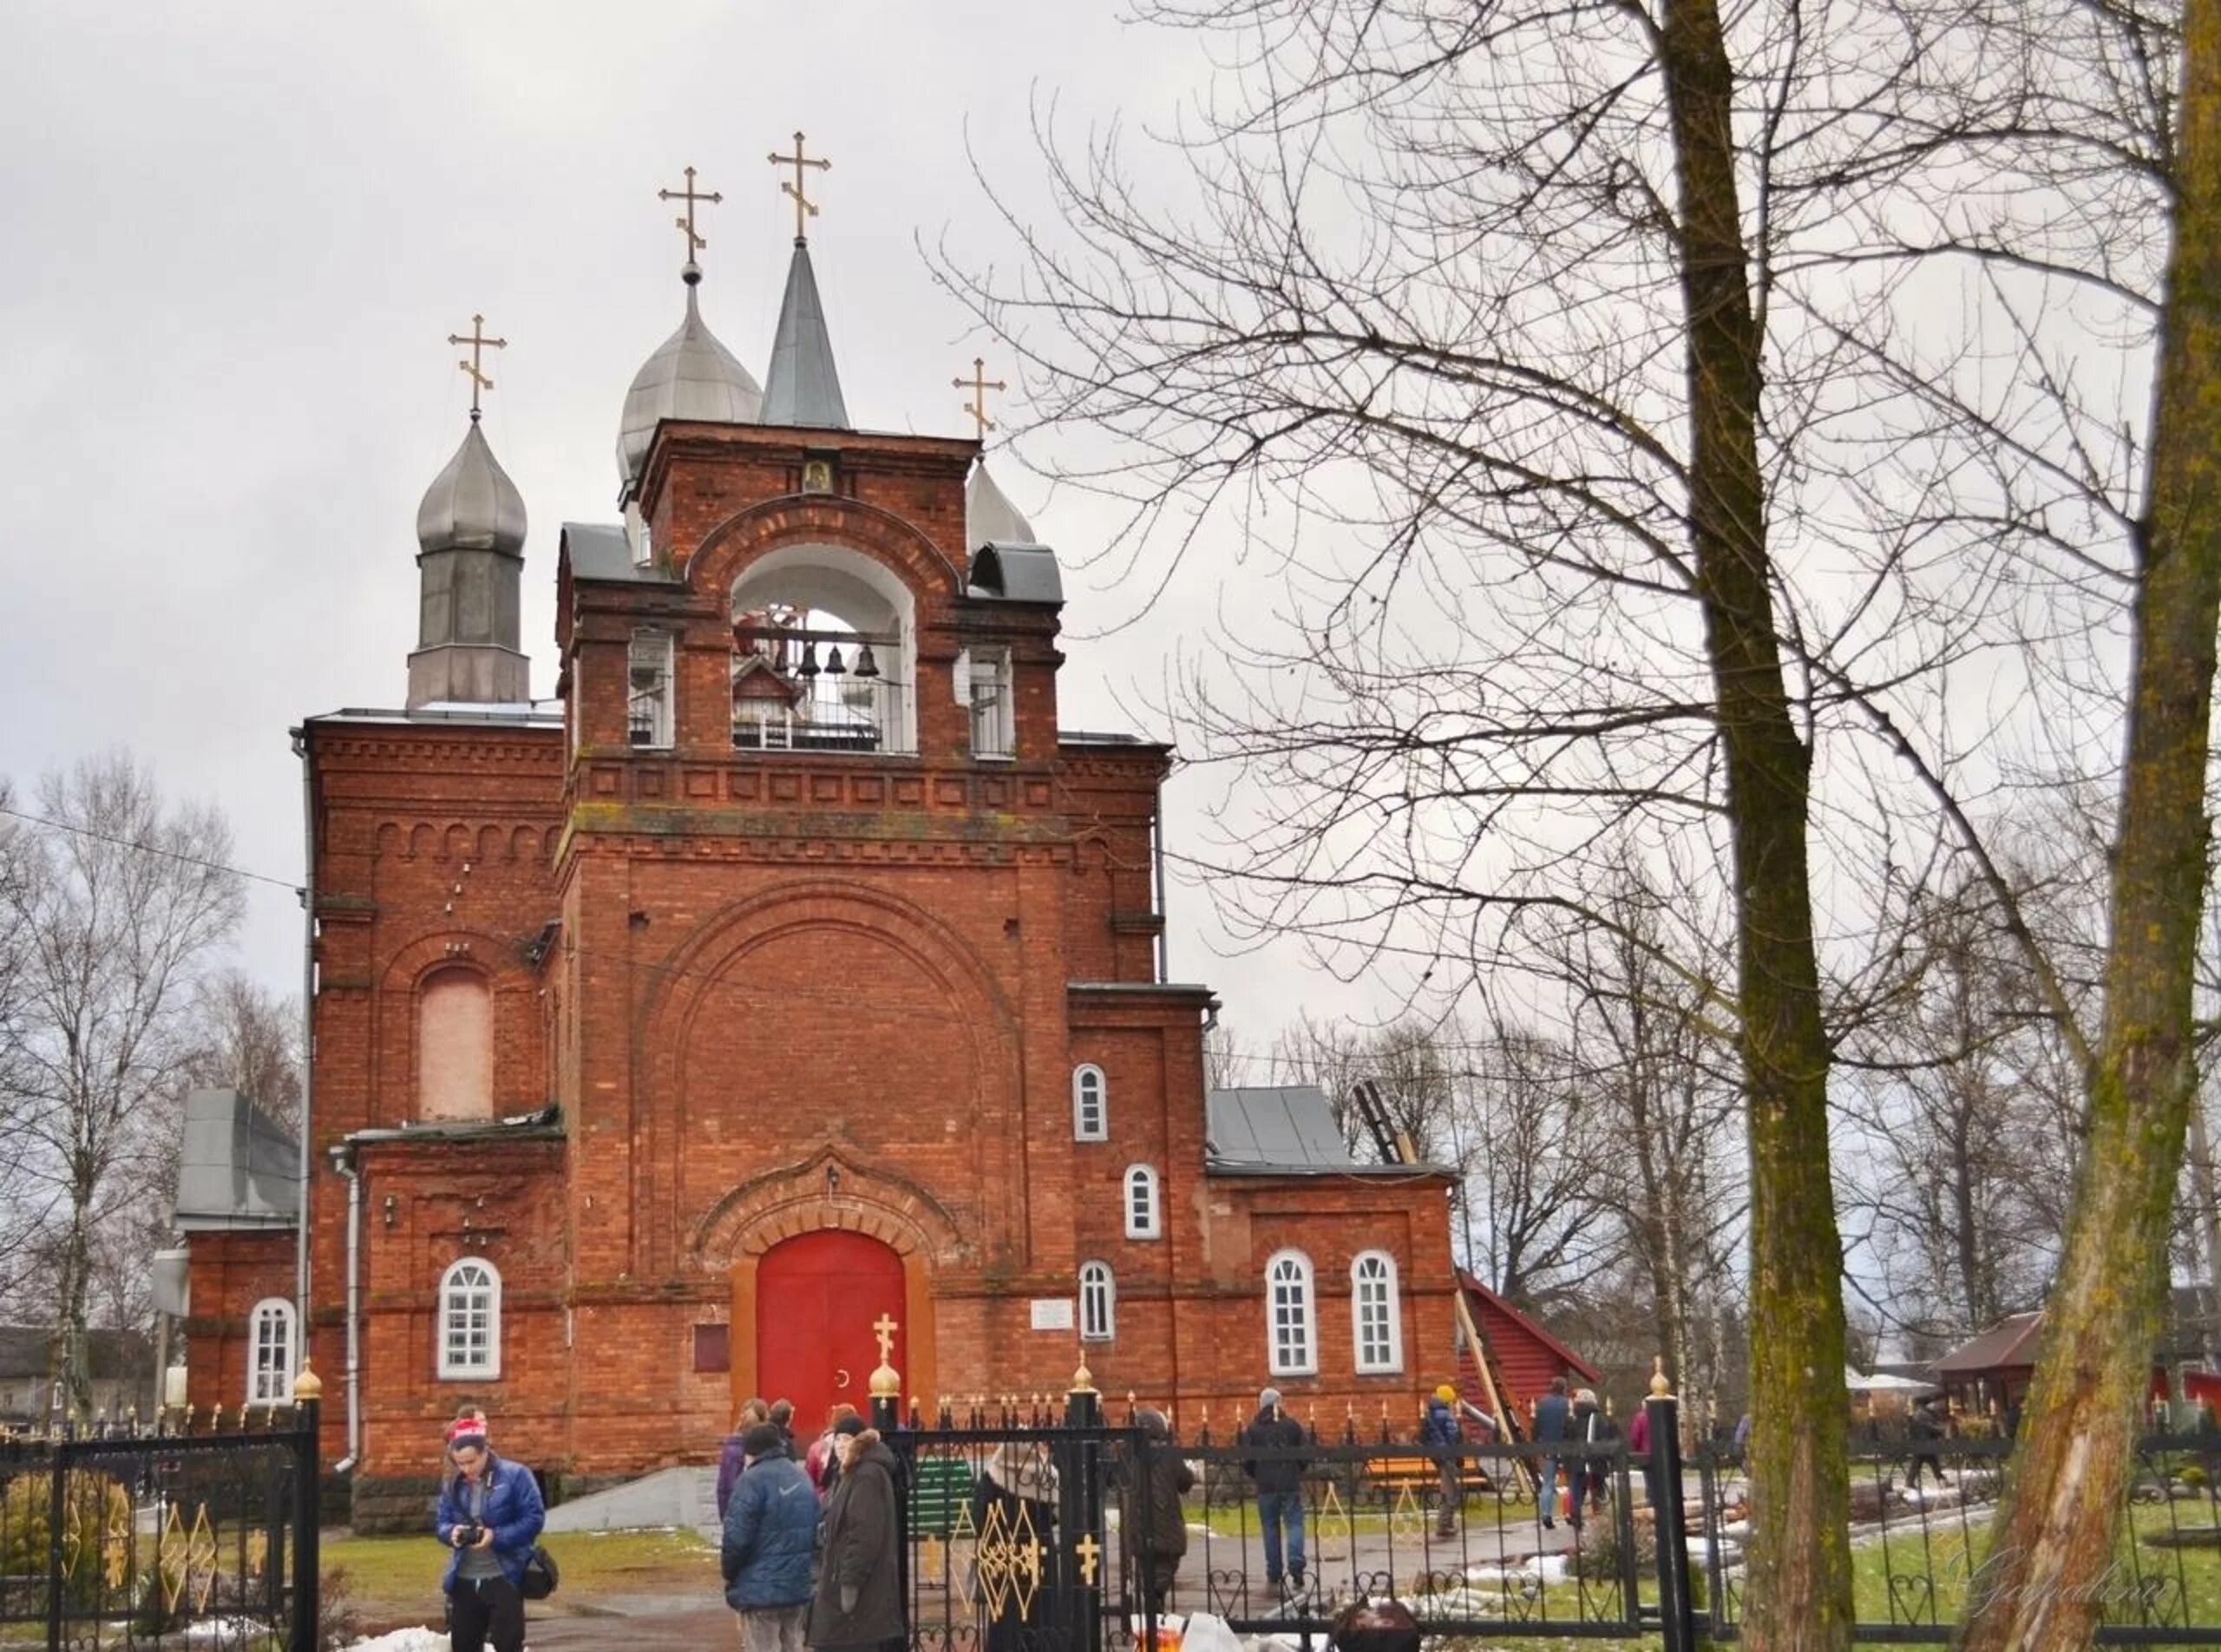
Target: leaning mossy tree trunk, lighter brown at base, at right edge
2056 1540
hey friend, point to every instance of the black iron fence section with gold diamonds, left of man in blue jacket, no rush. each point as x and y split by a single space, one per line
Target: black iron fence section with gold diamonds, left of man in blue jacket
163 1538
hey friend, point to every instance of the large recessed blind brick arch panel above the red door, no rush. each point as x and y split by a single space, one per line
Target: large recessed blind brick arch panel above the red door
756 1016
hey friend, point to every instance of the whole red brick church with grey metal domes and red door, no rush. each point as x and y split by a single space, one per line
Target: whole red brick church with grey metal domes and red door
792 969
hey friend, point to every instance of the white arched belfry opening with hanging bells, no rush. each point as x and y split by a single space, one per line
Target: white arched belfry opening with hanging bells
825 654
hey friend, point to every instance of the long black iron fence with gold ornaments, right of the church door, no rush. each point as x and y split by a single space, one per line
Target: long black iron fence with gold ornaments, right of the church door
1063 1531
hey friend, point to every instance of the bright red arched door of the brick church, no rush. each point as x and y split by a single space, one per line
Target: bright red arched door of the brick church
816 1305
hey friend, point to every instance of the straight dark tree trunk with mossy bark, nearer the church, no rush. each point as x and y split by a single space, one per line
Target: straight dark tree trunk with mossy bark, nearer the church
1800 1555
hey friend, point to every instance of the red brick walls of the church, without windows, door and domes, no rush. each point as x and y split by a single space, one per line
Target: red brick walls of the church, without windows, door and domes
763 996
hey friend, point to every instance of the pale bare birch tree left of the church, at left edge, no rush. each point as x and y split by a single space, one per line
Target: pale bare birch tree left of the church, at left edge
123 905
